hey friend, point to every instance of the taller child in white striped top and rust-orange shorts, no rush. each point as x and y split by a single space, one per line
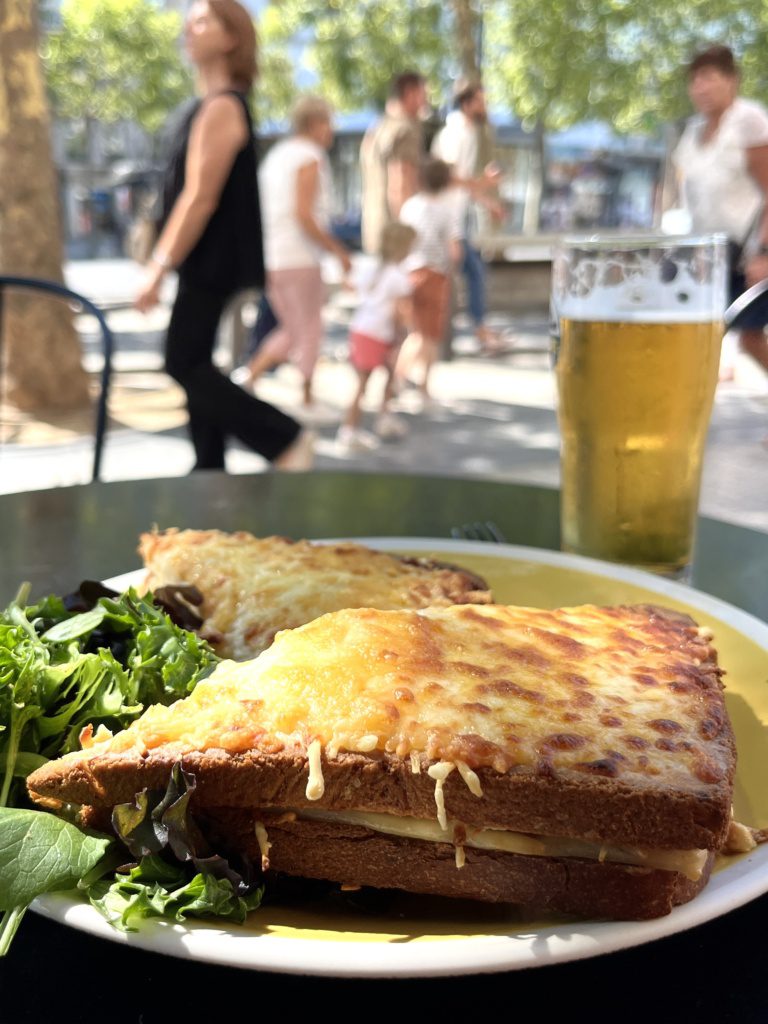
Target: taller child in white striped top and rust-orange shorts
433 214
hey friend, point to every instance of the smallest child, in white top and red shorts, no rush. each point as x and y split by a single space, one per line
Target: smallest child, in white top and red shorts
375 333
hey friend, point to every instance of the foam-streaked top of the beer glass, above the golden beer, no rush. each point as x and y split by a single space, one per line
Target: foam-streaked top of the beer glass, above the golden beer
646 281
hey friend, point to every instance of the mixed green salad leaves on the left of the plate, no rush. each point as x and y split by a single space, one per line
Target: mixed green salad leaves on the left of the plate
95 659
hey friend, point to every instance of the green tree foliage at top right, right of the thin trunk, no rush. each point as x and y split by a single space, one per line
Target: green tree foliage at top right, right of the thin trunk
617 61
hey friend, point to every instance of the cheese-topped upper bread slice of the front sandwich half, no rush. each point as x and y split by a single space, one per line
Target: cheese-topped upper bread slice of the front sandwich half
607 726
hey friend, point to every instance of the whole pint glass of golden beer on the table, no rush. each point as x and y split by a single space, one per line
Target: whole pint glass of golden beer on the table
641 326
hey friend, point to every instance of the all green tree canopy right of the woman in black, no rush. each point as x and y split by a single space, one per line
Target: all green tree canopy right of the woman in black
551 64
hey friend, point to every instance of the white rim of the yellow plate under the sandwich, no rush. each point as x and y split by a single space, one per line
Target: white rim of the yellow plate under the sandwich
731 888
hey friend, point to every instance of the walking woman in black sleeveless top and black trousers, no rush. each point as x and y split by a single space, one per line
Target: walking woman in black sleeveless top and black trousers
212 237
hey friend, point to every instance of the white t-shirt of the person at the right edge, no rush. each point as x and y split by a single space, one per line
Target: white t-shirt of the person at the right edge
719 192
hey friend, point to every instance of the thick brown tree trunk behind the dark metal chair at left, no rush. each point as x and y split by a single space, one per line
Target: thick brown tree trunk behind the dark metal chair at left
40 353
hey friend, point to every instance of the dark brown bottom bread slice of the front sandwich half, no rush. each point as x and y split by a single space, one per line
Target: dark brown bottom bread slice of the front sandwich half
619 884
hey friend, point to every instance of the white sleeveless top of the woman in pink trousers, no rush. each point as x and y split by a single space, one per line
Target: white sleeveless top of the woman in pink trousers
286 244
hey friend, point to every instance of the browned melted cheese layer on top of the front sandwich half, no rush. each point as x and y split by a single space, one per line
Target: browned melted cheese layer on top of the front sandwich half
627 693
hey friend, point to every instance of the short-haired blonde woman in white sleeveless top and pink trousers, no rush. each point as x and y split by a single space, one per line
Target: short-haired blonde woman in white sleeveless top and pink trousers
295 188
